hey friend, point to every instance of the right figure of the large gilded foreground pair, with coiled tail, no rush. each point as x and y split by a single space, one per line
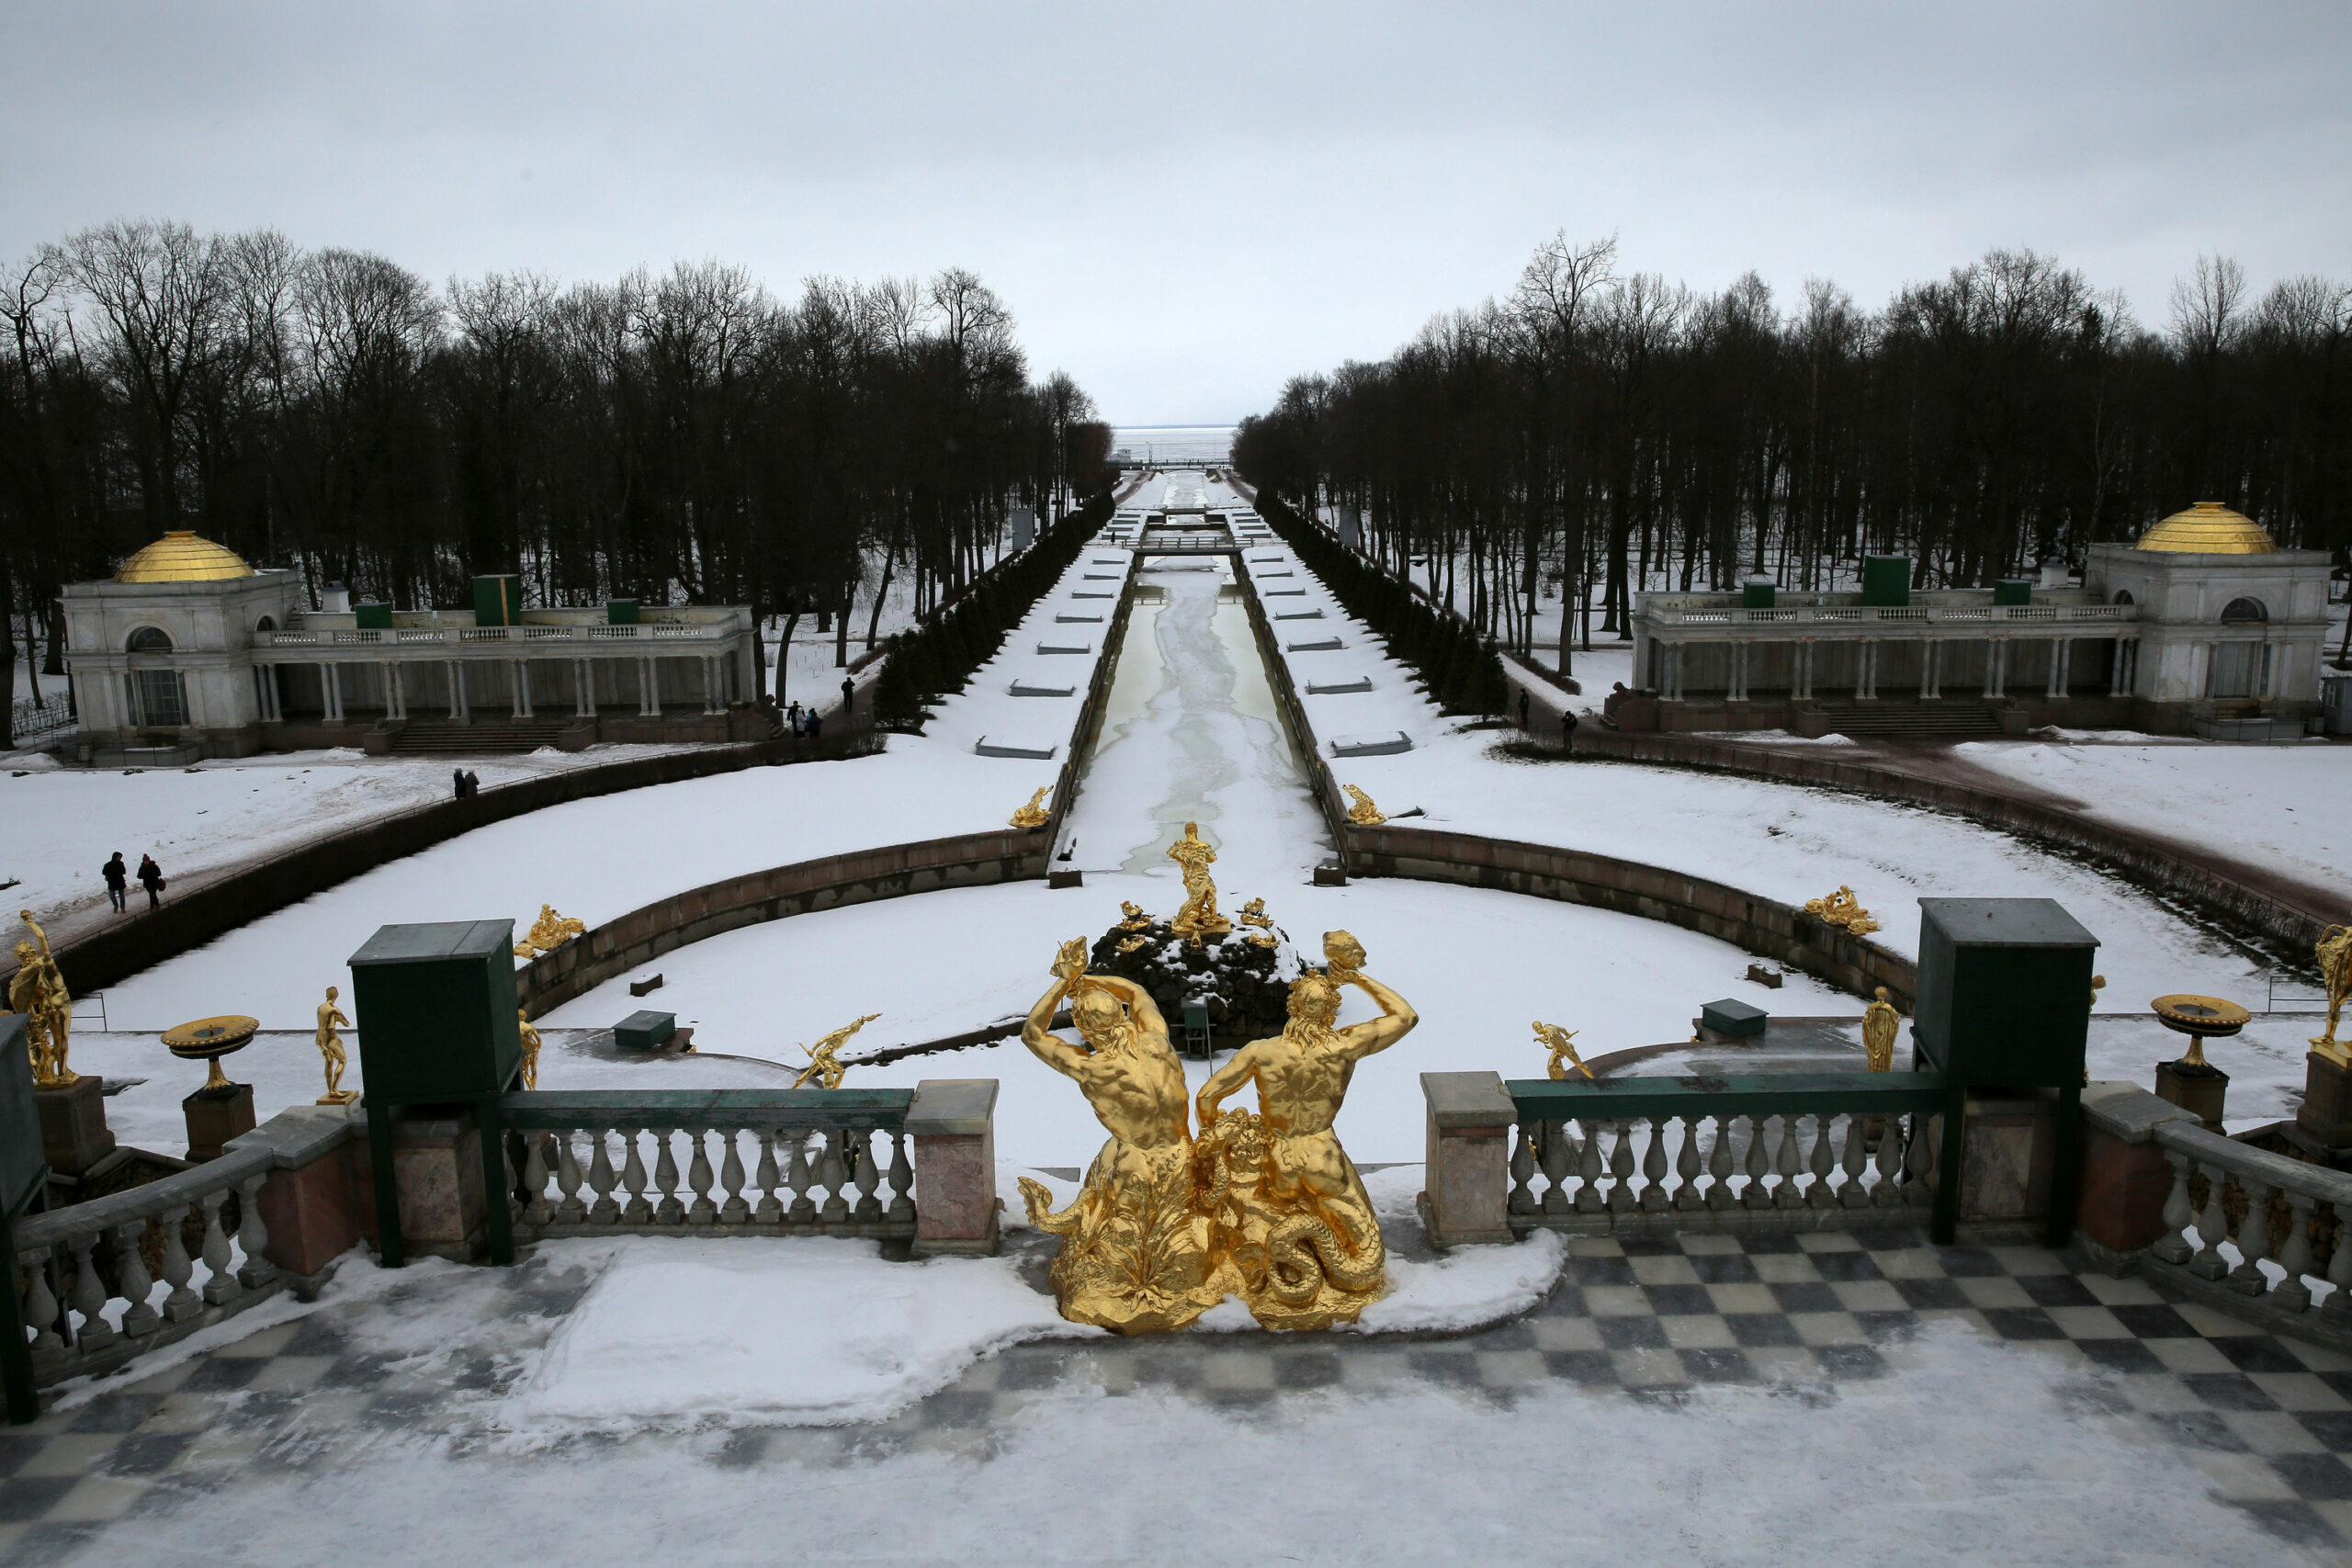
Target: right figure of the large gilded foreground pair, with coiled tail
1292 1217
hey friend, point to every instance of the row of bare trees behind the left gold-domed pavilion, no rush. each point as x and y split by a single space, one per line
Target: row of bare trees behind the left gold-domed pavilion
676 436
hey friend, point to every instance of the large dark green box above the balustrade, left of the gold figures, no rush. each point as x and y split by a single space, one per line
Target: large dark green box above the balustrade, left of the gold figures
436 1012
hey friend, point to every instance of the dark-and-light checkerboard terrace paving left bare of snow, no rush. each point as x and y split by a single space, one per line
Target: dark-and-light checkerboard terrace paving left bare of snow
2266 1419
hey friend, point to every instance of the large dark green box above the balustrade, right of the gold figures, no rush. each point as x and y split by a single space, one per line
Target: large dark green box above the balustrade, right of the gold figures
2005 993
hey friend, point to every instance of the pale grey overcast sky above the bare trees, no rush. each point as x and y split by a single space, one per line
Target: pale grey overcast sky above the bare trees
1191 203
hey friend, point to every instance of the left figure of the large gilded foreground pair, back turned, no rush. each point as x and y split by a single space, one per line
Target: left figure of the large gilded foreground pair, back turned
1135 1245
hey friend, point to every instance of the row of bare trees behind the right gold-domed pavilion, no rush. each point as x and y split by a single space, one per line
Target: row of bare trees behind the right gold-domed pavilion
1612 431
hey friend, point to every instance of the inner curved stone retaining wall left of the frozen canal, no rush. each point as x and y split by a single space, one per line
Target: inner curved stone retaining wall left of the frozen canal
895 871
